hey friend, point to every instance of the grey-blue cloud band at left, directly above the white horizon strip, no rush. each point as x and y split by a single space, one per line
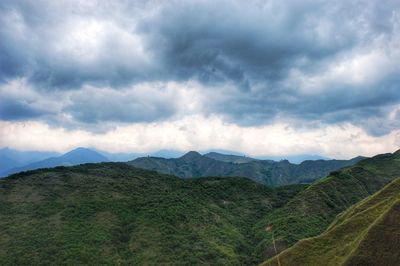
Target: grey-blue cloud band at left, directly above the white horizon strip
99 108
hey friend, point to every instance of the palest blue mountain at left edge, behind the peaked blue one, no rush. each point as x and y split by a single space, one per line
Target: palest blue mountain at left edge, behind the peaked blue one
10 158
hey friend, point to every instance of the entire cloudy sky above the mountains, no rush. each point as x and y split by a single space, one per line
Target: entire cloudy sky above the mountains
265 77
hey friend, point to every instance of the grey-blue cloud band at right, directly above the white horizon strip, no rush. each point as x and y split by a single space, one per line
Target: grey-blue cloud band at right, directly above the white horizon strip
358 105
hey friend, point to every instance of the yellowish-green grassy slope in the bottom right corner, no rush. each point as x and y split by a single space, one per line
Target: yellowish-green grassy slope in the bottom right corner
366 234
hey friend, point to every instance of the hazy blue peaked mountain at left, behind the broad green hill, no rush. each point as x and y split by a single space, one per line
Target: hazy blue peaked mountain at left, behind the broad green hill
74 157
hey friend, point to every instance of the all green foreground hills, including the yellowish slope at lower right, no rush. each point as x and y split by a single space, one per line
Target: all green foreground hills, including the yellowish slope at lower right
113 213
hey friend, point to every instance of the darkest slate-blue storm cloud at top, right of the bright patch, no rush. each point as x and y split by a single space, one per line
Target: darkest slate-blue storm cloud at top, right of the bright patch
224 40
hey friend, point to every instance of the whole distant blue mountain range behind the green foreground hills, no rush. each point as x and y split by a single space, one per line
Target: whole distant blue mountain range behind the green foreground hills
193 164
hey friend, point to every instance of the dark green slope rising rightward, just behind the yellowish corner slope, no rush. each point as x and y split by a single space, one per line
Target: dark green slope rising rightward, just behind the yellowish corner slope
311 211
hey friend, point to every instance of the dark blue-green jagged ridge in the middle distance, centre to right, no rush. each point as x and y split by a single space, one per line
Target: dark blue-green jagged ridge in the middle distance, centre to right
268 172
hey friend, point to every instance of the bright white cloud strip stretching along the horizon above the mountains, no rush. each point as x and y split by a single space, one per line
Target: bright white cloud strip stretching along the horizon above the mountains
200 133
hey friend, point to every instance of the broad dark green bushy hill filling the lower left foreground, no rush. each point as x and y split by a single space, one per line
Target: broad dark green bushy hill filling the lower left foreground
112 213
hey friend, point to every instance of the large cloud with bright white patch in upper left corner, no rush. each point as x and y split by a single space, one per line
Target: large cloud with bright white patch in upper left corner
65 44
